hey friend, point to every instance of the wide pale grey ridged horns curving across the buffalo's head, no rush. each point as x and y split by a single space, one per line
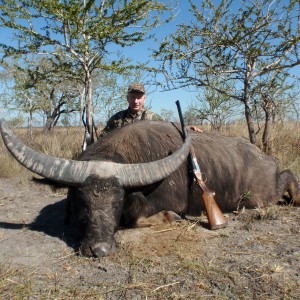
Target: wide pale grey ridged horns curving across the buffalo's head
73 172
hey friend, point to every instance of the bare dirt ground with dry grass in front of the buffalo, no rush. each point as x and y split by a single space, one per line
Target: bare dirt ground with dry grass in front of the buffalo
256 257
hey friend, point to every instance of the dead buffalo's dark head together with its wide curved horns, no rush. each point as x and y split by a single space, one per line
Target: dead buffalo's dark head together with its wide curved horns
96 184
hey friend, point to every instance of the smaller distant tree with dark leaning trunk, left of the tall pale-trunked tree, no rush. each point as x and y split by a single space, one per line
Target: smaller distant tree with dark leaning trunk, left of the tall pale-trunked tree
40 87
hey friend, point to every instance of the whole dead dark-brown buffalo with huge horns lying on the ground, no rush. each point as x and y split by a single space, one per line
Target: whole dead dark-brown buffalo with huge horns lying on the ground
137 171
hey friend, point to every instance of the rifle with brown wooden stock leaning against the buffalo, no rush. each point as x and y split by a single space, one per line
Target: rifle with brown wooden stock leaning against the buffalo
215 216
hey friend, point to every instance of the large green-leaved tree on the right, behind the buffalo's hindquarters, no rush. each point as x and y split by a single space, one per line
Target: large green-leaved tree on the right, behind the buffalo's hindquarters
236 45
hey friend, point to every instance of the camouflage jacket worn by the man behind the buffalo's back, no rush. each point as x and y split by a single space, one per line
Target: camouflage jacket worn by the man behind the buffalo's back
125 117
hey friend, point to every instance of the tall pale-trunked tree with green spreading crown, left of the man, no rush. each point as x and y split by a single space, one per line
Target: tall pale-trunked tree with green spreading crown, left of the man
83 35
